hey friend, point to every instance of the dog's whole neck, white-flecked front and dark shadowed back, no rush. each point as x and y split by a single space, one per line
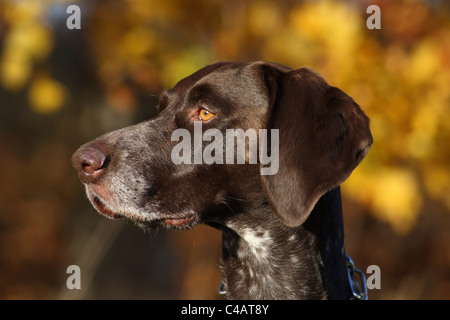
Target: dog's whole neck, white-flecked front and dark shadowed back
263 259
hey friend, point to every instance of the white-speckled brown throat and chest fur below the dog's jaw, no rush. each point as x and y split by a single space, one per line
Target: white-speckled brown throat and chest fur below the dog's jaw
262 265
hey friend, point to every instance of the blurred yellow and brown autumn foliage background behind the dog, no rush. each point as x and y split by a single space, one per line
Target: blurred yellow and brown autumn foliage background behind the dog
60 88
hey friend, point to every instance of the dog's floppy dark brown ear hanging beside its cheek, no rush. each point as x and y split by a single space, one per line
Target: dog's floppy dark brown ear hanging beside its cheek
323 135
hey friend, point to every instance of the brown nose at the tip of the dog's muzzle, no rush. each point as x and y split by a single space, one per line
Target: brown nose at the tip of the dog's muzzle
90 162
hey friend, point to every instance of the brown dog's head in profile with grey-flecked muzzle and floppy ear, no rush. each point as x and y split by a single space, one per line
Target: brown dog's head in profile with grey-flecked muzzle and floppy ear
186 165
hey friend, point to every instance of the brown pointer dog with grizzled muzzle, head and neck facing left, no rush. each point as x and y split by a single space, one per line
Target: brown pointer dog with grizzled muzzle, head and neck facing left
282 232
